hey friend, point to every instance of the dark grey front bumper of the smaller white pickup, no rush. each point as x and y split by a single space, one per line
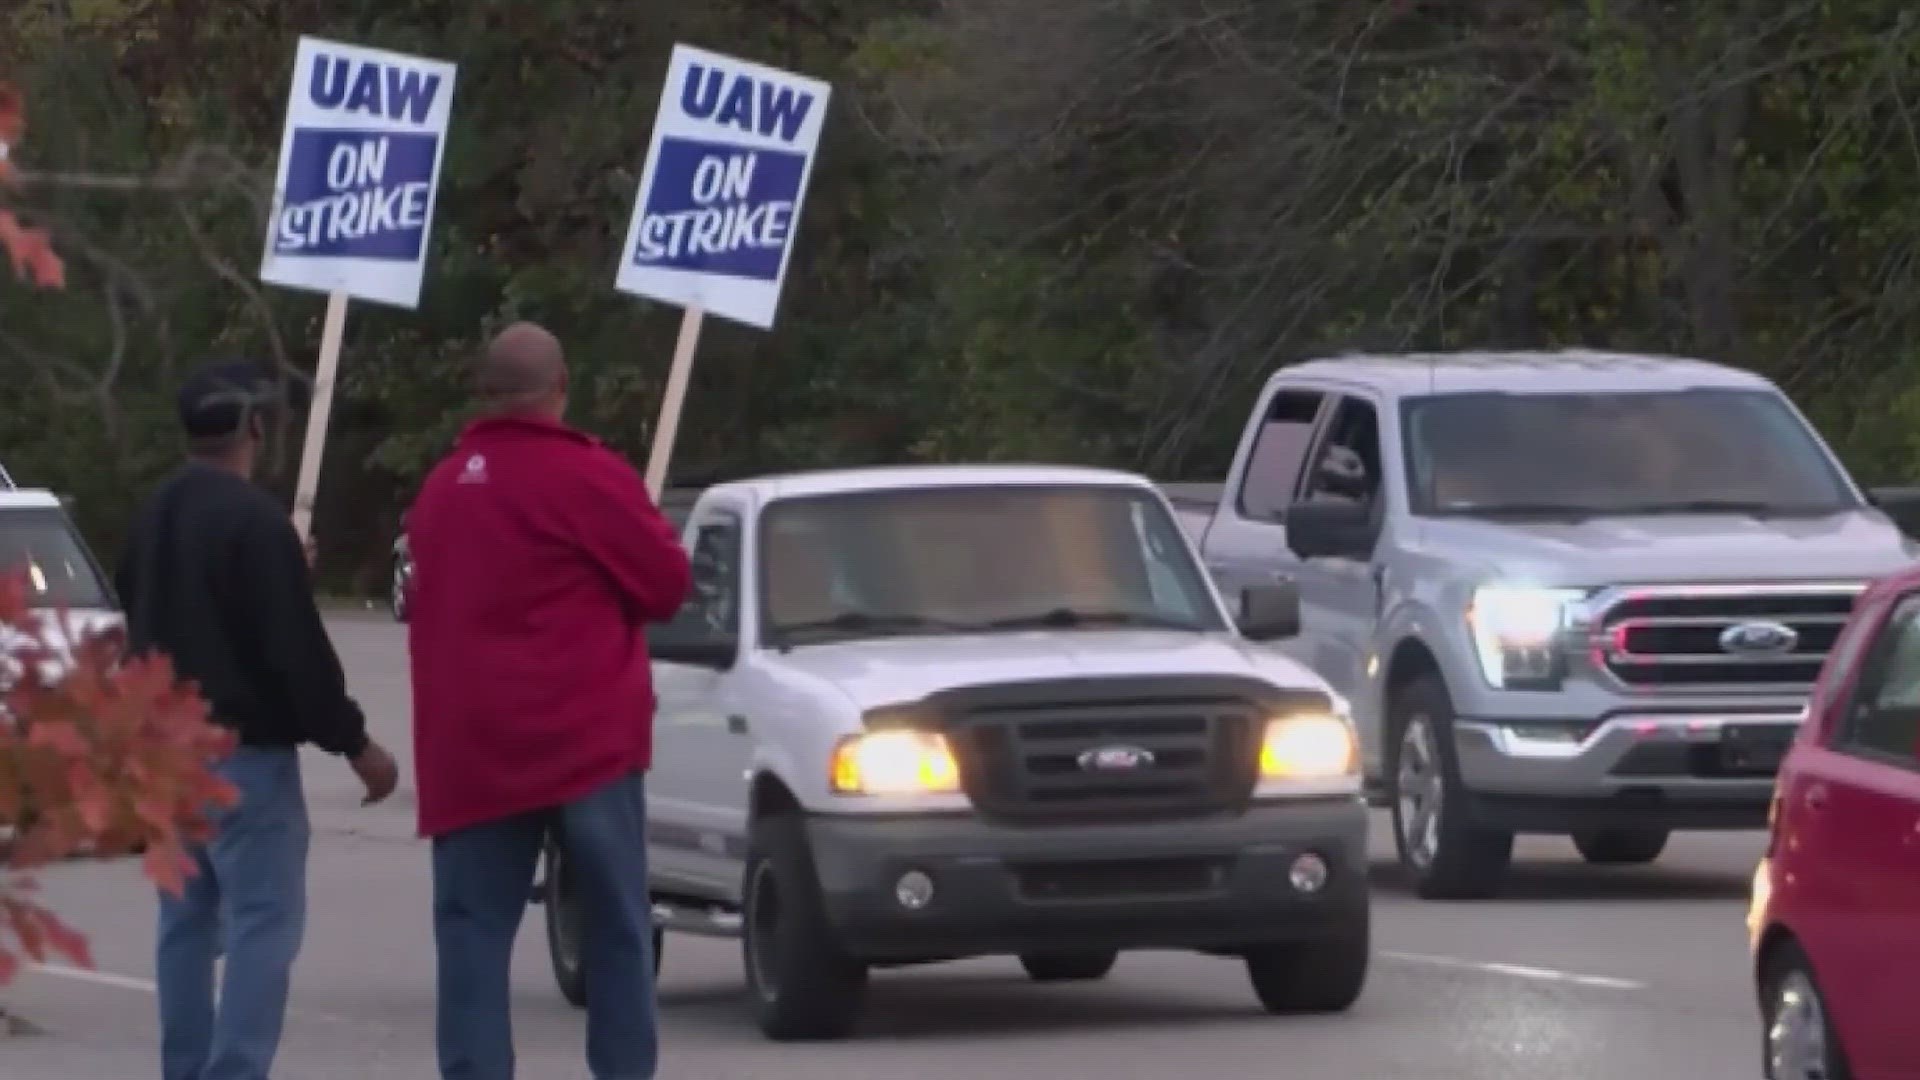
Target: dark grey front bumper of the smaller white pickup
1180 885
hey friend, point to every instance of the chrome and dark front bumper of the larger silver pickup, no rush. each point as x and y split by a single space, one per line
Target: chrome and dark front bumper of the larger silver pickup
1631 772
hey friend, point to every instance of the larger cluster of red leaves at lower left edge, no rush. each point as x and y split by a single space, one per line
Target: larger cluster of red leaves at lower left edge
99 758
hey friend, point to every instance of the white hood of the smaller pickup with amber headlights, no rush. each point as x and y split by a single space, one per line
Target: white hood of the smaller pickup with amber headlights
884 672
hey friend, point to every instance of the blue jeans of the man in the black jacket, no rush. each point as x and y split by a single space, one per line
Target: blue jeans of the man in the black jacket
251 889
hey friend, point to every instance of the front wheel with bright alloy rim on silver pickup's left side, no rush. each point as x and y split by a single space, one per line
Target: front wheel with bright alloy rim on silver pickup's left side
1443 854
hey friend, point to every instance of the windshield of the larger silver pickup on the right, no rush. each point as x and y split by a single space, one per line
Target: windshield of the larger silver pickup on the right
1717 451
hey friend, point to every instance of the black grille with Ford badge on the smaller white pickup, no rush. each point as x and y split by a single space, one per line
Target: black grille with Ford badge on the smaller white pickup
1101 760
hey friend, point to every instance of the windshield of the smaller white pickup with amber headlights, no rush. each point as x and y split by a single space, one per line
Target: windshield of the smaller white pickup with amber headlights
976 560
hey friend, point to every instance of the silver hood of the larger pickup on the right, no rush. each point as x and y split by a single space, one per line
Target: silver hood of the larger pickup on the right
1681 549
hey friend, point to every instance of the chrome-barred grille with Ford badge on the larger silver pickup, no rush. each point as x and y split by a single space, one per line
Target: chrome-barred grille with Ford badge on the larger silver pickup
1714 639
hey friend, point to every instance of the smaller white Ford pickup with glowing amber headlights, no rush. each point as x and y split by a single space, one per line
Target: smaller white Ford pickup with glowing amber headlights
944 712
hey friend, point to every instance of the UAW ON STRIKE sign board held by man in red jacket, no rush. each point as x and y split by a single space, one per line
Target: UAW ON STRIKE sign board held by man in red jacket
721 193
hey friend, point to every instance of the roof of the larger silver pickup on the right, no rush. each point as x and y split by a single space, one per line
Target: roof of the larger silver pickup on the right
1522 372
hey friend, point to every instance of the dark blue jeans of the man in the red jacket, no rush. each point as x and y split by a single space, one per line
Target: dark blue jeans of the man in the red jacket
483 879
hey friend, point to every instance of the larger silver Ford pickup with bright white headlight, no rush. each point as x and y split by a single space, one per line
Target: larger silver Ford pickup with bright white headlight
1570 593
